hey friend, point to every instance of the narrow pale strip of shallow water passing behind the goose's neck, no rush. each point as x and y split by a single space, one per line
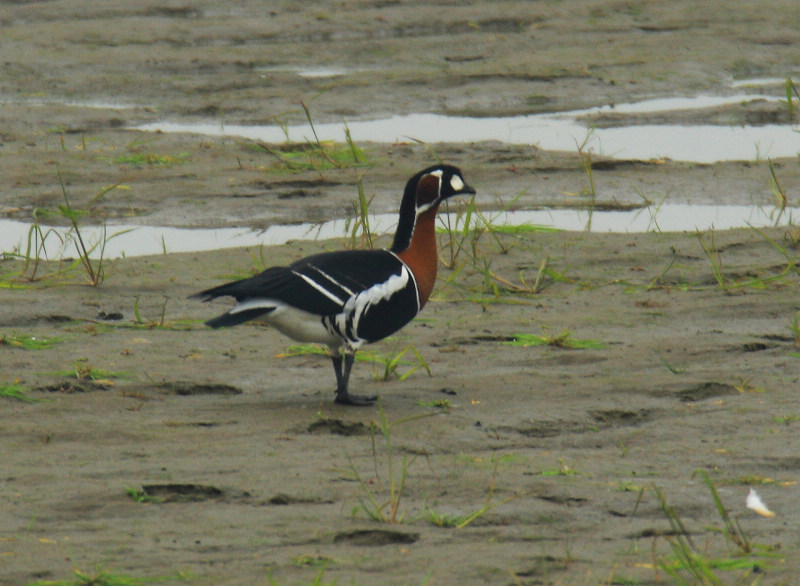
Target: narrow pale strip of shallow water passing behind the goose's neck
132 240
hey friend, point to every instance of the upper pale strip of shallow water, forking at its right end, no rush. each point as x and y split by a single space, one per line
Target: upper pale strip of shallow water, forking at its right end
553 131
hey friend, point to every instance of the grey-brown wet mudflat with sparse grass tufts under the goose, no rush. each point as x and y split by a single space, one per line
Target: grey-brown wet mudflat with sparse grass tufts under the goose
181 452
